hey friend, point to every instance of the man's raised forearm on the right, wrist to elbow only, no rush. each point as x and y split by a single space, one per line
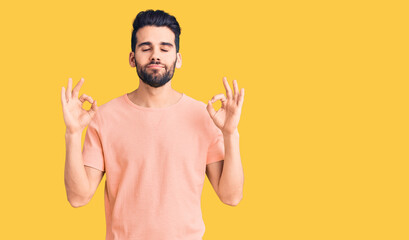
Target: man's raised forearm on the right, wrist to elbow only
232 178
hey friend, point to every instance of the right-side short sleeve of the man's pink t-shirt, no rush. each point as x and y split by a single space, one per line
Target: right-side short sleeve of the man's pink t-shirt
216 148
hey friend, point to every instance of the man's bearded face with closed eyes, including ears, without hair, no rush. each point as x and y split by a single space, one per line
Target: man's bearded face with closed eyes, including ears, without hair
155 55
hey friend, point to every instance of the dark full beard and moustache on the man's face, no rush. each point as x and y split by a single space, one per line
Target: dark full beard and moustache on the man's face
155 79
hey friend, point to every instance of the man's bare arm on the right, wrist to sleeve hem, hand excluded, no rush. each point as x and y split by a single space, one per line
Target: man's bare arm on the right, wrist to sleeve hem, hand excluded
227 176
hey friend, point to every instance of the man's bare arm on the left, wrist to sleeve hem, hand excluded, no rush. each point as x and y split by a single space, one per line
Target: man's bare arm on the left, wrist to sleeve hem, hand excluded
81 181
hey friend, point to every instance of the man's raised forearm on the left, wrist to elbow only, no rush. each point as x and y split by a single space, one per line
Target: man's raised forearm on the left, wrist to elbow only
75 176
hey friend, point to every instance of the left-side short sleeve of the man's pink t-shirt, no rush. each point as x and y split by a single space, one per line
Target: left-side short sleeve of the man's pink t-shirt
92 153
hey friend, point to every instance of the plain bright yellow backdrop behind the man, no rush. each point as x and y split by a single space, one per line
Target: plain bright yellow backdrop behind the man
324 128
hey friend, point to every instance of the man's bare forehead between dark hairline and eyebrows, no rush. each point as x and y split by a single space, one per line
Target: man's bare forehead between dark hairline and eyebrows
155 35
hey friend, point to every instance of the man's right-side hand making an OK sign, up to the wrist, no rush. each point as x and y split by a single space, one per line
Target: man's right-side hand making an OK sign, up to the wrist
228 116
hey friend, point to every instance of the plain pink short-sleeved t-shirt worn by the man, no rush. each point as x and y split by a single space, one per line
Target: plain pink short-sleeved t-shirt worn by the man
155 164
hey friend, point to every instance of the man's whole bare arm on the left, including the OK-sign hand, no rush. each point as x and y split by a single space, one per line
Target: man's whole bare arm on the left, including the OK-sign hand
80 182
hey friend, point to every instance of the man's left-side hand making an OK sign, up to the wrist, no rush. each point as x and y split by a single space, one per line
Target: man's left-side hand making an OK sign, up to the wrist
75 117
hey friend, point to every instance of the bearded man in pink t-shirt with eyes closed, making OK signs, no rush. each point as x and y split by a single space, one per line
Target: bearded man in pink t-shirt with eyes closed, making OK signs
154 144
